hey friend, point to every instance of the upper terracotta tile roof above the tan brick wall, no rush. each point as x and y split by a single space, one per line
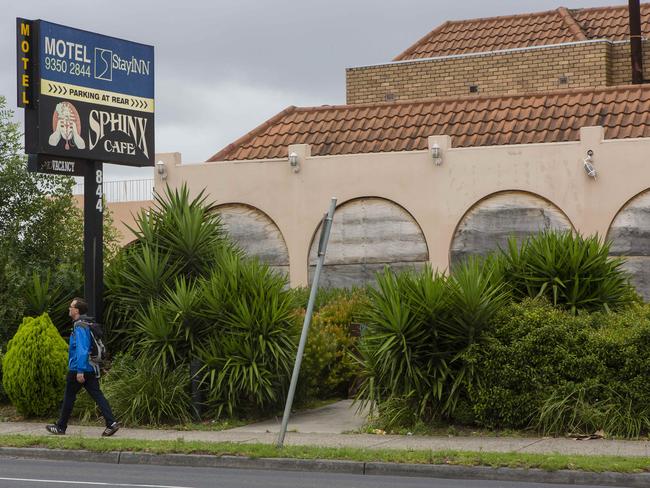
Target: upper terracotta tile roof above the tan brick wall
525 30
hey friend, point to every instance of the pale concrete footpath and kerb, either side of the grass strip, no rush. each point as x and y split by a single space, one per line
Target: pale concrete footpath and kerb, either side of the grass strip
332 426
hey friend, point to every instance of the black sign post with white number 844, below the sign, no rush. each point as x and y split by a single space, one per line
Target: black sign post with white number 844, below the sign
94 238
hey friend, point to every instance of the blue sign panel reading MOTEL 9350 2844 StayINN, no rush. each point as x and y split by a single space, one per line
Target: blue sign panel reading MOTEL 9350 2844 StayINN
85 59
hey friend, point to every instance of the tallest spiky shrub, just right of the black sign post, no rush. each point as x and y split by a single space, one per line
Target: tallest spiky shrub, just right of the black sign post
178 242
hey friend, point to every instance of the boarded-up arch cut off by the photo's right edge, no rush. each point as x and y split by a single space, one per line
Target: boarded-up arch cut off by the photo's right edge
630 236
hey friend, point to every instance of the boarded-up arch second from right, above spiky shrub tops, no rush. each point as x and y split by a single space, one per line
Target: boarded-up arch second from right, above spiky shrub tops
489 223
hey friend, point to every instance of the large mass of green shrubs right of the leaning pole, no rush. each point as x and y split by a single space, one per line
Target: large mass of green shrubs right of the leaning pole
561 360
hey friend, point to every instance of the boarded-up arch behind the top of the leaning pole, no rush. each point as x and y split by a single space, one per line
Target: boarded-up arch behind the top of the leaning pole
367 234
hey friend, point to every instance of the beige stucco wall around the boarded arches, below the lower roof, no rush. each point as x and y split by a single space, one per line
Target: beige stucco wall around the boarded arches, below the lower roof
436 196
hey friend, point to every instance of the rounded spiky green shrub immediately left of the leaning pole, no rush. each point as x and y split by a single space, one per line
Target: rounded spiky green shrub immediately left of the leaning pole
249 355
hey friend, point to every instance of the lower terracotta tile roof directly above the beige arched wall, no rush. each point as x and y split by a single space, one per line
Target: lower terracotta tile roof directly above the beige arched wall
624 111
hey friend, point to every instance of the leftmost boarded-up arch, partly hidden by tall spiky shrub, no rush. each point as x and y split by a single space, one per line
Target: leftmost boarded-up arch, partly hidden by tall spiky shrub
256 234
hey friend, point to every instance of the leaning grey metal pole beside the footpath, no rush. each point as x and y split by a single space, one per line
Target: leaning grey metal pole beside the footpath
322 247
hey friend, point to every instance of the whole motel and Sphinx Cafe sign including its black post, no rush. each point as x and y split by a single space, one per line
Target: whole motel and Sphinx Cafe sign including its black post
88 99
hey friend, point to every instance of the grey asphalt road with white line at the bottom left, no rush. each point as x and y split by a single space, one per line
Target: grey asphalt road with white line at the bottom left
32 473
